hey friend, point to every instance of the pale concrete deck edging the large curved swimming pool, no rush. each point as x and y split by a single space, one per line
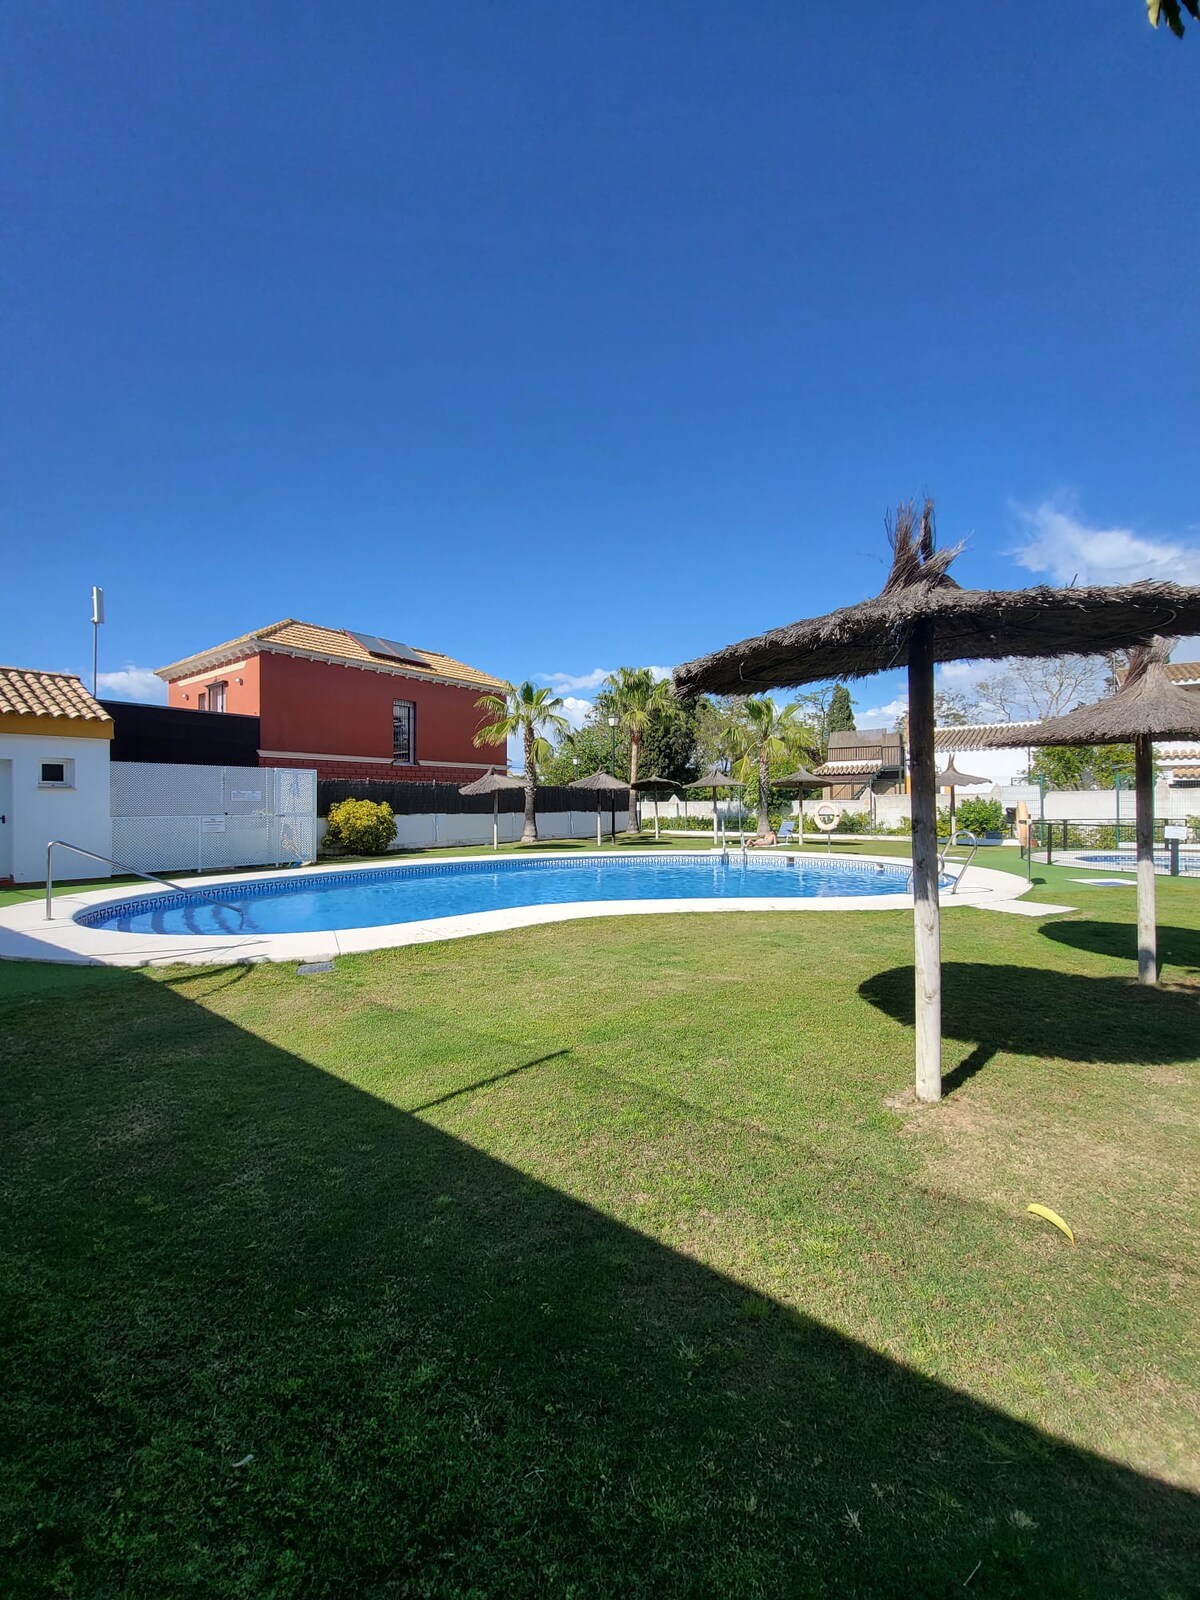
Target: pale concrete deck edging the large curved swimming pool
26 935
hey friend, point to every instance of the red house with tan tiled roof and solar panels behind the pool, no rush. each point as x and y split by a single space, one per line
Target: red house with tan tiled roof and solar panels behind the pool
350 705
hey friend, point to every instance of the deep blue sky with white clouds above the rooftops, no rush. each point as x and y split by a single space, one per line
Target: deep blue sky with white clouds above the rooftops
572 337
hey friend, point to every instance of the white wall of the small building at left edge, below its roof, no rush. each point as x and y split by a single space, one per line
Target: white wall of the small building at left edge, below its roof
79 815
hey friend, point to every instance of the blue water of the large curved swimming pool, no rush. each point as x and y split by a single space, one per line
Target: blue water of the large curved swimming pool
415 894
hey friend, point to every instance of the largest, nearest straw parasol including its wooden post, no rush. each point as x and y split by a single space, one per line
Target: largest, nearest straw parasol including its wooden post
919 618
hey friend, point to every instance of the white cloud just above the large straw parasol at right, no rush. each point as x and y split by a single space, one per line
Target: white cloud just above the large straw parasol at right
1060 543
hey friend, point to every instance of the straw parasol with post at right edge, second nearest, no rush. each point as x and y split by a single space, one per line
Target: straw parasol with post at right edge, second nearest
1146 708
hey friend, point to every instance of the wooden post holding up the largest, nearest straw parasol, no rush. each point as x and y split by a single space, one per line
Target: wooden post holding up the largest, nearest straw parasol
927 914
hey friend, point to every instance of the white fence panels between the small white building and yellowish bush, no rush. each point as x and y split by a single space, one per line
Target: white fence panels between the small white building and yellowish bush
177 818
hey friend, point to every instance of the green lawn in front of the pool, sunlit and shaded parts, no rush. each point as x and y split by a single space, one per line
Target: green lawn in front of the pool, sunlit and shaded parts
609 1258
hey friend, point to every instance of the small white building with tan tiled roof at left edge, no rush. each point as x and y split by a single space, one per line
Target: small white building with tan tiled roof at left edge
54 775
